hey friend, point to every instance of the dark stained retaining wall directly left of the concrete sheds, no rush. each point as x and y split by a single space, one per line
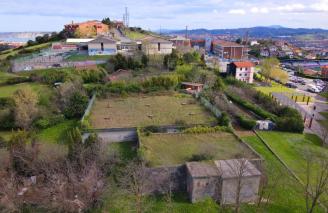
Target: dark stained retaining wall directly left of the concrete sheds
163 179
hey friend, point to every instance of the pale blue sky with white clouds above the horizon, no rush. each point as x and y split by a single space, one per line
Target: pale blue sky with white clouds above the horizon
51 15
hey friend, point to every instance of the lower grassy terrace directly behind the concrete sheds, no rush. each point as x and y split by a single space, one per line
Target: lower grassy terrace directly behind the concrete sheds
172 149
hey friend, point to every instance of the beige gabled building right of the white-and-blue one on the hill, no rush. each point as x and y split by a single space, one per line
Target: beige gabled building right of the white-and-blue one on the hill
156 46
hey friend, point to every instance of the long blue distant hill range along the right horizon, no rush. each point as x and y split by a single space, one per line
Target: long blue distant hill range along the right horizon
259 32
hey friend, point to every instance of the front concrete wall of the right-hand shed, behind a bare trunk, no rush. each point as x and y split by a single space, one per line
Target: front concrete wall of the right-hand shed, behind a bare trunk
248 193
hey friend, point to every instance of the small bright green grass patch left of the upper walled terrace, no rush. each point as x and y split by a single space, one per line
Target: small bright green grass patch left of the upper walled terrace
57 133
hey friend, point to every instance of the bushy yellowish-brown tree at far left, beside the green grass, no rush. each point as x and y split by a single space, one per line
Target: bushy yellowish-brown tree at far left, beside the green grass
25 108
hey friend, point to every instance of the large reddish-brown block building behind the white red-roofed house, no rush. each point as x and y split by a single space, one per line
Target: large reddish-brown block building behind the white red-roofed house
229 50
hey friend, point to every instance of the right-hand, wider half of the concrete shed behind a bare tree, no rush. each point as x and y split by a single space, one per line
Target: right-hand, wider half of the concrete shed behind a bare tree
238 176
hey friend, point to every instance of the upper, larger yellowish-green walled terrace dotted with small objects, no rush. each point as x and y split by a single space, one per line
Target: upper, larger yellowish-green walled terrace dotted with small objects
139 110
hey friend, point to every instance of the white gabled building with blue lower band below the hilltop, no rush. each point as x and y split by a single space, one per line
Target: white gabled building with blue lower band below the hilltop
102 46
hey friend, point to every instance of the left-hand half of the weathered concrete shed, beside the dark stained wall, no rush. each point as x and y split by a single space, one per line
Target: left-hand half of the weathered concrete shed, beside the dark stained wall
202 180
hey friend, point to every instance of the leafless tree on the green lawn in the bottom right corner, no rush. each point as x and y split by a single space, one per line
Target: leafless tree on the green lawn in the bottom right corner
316 181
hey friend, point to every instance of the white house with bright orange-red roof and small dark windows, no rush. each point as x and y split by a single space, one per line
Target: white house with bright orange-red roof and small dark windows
242 70
